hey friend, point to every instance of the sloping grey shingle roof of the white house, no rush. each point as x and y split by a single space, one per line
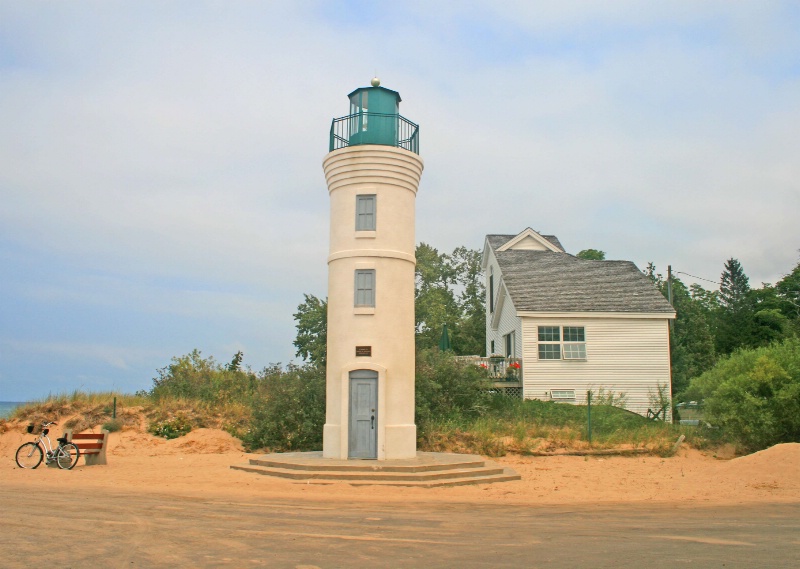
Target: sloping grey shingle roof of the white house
543 281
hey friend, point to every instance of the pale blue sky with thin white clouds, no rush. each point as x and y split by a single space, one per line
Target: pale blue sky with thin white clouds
161 175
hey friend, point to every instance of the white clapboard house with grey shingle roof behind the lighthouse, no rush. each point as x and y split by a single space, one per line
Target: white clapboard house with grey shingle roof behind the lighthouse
558 326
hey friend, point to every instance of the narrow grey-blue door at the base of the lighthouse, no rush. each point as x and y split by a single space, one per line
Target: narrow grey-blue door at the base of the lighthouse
363 436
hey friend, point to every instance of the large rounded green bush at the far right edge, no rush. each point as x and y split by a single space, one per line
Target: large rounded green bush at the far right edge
753 396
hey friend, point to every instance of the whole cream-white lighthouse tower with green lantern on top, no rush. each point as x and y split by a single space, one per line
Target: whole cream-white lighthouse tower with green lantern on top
373 171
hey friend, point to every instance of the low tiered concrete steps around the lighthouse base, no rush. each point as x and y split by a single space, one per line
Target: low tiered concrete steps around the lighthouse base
427 470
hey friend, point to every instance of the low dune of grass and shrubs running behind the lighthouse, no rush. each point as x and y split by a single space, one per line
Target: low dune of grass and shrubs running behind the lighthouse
281 409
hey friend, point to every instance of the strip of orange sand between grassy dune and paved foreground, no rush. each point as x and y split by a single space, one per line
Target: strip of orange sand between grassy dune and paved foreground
199 465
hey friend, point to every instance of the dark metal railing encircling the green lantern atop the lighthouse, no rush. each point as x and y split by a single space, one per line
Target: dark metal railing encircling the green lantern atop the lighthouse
374 128
